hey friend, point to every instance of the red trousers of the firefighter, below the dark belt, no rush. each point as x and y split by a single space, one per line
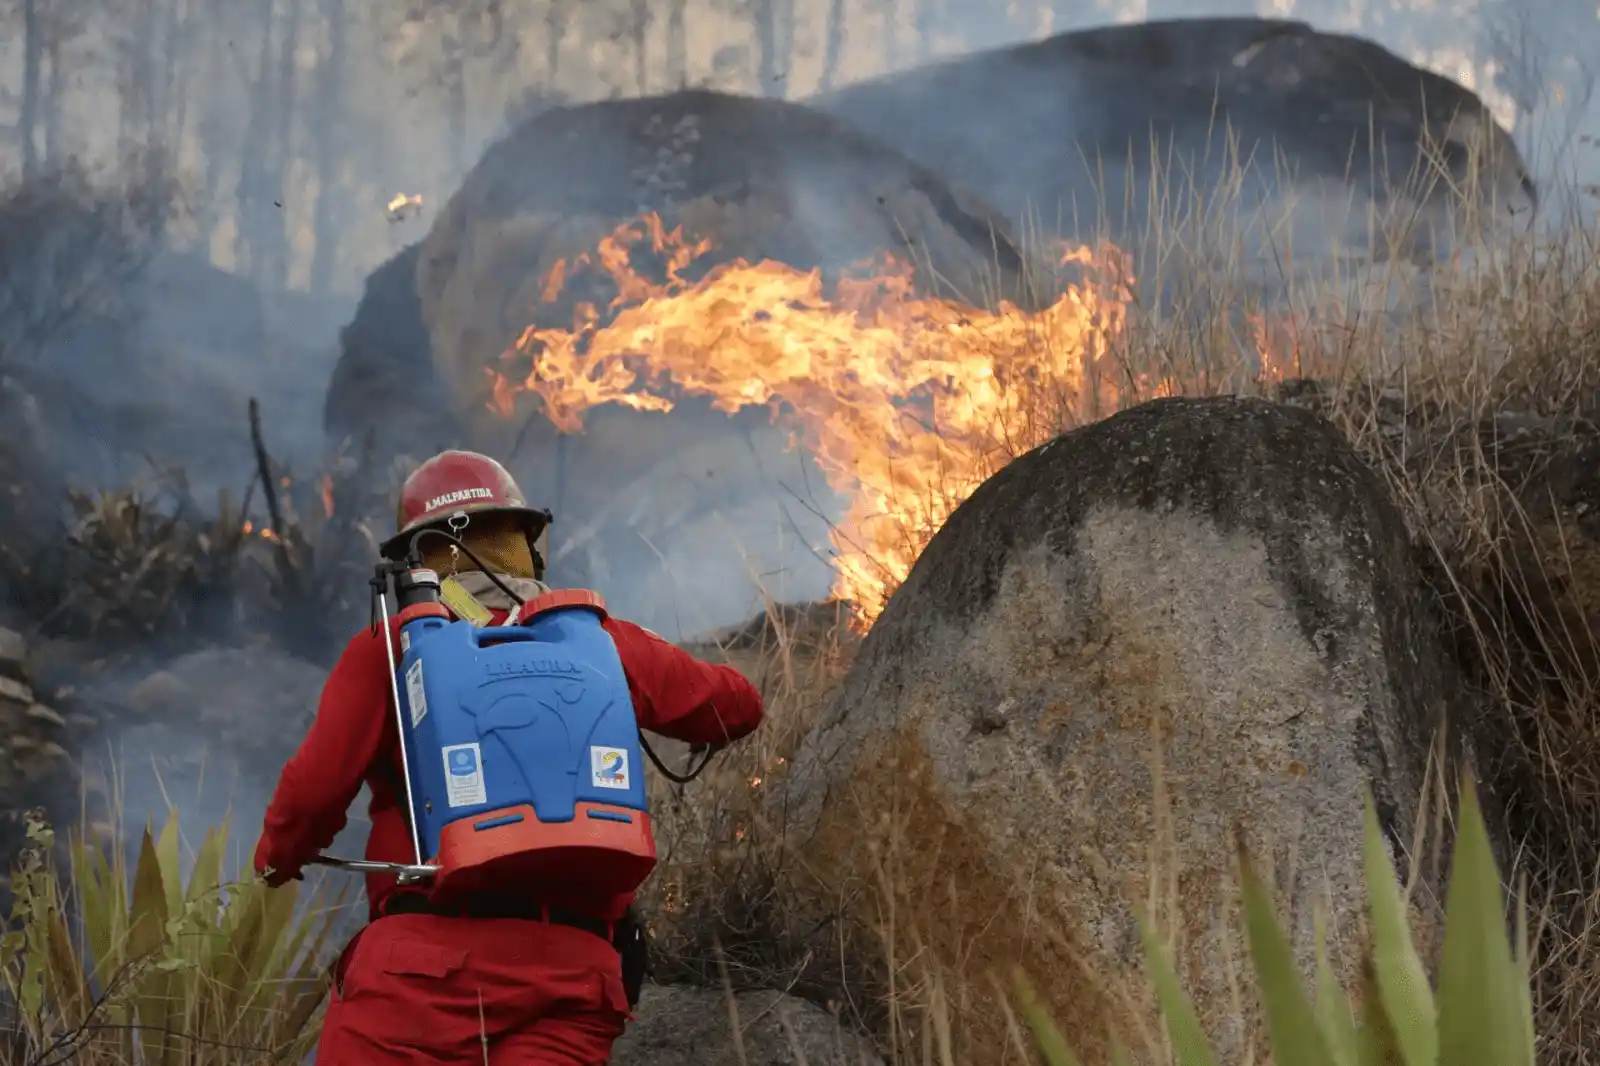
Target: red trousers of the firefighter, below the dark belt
417 988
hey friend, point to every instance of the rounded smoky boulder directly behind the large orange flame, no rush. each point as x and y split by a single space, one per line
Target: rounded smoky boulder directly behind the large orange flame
758 178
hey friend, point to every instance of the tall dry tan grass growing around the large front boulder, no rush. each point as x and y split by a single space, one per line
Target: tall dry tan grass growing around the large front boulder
1473 390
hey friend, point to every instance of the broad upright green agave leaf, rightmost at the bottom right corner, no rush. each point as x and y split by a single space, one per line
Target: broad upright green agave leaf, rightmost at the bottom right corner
1484 1001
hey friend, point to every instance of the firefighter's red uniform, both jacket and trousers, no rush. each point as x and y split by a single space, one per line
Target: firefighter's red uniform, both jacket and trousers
420 988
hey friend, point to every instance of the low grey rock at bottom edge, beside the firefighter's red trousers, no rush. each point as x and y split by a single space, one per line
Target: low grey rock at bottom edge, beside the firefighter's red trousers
697 1027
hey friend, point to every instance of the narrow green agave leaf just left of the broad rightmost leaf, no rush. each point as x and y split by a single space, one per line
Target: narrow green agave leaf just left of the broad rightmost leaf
1402 980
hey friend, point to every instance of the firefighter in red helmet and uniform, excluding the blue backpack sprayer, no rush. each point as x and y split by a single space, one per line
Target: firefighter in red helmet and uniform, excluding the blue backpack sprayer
513 982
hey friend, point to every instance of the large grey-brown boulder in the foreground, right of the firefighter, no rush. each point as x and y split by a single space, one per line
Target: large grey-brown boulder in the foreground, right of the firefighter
1217 588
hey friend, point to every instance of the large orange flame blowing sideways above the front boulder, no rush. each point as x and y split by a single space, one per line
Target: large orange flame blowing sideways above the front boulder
908 403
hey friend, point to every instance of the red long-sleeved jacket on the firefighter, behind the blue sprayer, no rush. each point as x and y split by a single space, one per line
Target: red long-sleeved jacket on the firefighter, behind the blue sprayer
354 743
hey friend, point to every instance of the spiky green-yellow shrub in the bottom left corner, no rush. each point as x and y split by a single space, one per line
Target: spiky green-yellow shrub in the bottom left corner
103 968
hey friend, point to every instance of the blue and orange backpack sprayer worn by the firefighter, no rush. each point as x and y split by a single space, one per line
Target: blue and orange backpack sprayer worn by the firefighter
526 827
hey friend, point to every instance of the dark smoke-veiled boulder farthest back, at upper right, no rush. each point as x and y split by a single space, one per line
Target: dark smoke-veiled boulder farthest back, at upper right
1079 130
